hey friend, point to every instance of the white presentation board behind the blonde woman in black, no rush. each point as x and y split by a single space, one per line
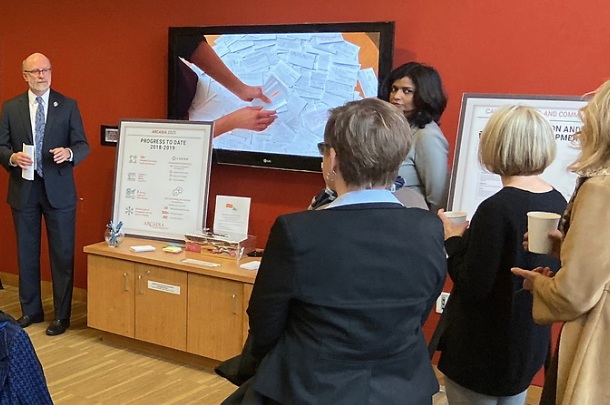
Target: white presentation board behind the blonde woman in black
471 183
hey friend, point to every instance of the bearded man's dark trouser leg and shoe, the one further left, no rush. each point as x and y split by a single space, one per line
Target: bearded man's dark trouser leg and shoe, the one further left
27 223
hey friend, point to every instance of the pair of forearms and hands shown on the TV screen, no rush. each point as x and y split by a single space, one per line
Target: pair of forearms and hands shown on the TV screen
253 118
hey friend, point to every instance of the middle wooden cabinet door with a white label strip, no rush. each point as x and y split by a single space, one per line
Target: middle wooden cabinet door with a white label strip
161 306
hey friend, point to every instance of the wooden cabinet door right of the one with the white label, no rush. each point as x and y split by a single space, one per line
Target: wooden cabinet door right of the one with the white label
215 317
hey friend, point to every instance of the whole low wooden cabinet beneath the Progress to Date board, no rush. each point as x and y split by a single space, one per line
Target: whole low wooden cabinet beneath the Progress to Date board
156 298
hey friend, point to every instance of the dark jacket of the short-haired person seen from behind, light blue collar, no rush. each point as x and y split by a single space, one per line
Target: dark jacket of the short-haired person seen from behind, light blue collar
338 304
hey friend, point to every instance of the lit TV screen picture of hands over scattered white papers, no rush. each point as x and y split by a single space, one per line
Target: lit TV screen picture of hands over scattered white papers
294 77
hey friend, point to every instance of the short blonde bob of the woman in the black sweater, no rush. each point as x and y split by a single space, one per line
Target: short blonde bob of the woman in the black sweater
517 141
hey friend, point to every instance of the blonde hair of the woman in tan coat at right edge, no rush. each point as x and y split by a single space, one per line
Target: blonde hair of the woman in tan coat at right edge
594 136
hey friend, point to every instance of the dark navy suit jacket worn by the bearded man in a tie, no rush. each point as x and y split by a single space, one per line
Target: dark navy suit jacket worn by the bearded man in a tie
64 128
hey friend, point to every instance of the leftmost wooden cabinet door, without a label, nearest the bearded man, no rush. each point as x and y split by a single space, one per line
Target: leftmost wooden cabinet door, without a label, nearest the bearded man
110 295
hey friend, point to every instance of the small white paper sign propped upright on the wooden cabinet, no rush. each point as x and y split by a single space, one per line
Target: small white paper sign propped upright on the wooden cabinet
232 215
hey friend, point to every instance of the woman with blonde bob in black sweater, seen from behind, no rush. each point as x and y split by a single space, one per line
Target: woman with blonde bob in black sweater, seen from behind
492 348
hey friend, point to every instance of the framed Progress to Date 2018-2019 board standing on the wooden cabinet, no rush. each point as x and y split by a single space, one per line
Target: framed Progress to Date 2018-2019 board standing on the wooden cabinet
162 177
